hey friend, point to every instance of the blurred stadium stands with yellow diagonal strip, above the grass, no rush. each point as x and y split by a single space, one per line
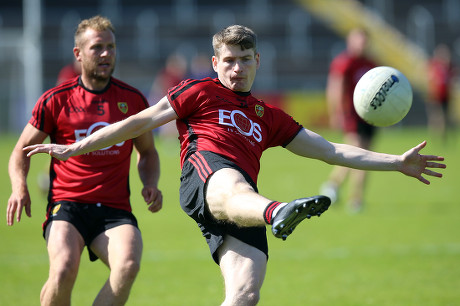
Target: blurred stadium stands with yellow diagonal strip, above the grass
297 40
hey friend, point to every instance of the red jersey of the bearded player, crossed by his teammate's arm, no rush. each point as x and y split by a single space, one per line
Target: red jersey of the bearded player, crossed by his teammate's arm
69 113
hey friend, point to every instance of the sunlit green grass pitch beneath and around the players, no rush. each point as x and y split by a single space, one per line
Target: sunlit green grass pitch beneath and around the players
404 248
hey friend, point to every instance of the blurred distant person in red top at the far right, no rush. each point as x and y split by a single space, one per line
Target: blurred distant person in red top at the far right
441 75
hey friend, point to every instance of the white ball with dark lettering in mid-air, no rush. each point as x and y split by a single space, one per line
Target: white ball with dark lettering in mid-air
383 96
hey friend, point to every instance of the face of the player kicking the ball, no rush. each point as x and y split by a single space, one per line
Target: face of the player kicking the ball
236 68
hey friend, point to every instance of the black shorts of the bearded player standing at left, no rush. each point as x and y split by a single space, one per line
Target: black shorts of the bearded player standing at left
89 219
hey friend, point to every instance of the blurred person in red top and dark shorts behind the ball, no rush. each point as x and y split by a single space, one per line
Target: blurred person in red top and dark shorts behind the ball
345 71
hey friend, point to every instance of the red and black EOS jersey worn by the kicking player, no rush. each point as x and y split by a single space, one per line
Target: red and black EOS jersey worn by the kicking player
233 124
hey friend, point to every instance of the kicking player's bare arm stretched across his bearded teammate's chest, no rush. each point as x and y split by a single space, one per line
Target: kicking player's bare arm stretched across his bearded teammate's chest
131 127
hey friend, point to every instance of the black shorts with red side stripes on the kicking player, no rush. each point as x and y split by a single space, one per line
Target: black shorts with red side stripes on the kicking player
195 173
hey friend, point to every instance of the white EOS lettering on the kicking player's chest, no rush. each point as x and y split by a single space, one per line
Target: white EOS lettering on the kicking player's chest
243 124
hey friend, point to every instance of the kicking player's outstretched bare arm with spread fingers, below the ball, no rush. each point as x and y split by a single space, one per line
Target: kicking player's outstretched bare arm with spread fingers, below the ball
411 163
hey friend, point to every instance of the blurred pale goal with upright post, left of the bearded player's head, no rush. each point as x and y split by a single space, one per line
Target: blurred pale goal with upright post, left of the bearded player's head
21 76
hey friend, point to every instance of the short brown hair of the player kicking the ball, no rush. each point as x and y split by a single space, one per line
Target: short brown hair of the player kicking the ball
235 35
